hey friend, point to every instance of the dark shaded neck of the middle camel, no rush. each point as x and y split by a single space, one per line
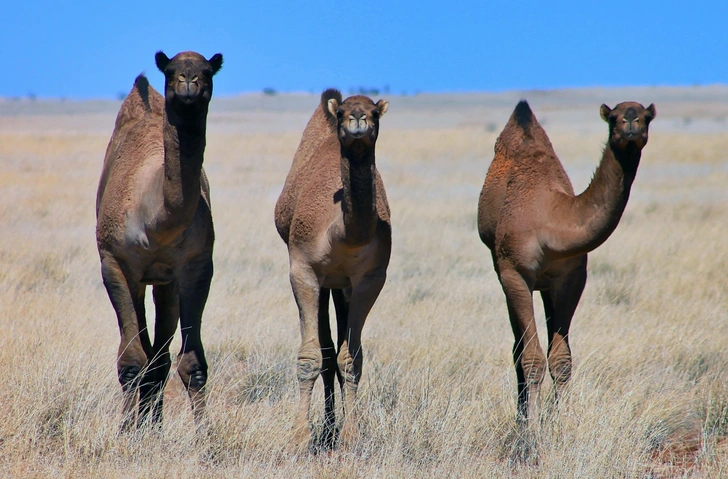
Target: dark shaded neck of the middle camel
359 201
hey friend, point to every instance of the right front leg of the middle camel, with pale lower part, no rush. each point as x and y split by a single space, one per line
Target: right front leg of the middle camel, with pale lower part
363 295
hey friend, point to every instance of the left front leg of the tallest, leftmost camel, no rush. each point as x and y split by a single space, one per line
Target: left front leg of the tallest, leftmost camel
127 298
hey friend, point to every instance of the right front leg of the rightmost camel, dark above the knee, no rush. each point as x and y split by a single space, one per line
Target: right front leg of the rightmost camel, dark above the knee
560 302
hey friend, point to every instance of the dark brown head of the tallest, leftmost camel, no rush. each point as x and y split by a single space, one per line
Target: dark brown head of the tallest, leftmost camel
188 77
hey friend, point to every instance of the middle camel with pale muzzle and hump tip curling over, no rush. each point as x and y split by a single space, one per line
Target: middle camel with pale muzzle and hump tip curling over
334 217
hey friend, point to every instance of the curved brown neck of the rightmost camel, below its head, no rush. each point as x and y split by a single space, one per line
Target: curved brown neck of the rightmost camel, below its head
597 211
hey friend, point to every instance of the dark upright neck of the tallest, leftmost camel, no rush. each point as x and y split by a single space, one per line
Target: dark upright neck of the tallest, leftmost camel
184 148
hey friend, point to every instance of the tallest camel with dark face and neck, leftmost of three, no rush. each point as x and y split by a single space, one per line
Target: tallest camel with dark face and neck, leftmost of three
154 227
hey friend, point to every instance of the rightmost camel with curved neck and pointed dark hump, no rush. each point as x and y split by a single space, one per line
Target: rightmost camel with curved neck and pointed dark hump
539 232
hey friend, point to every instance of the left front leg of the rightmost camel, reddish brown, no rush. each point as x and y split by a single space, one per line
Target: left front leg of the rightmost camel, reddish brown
528 356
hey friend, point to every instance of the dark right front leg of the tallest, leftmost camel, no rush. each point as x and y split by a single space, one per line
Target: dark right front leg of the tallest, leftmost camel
194 287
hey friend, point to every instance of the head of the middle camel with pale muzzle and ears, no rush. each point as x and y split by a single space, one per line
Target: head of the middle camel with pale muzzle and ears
356 119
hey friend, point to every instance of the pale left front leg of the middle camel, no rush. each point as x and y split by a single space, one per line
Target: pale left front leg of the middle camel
306 291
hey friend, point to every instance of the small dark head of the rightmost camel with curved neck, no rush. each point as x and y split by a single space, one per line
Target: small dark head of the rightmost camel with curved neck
628 124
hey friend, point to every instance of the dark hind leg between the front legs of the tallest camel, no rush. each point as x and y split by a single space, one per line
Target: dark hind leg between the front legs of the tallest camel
151 389
